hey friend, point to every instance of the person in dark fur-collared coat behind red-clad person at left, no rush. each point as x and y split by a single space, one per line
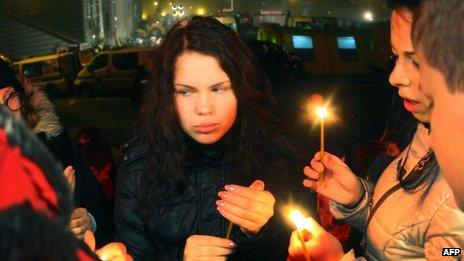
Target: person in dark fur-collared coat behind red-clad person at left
33 106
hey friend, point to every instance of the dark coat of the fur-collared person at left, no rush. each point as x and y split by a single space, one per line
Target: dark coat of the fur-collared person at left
87 192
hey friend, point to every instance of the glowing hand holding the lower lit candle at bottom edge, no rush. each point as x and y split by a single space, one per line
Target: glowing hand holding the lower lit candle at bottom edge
320 245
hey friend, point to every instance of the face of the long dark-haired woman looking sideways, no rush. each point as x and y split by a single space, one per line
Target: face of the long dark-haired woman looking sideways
205 102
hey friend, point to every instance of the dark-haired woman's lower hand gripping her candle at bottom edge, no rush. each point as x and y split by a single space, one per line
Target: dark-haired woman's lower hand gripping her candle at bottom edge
208 248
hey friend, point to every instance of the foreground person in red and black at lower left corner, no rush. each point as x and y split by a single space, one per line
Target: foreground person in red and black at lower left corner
36 202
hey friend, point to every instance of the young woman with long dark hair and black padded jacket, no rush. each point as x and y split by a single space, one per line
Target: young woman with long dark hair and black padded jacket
208 152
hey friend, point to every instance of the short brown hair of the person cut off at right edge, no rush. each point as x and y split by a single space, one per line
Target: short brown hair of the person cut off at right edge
438 30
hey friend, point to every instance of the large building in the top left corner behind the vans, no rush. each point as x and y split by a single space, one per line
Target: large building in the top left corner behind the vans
38 27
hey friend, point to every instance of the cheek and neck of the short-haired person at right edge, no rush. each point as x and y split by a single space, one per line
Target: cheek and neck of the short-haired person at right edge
447 126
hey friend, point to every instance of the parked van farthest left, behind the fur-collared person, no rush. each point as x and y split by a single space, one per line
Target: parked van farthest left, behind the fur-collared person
53 73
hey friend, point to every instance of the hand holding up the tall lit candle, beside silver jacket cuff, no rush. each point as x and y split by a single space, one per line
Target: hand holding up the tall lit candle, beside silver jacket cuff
339 183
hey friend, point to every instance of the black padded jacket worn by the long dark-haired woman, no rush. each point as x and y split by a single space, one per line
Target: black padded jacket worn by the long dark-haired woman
193 211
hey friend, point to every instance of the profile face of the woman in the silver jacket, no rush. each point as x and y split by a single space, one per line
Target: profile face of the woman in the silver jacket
405 75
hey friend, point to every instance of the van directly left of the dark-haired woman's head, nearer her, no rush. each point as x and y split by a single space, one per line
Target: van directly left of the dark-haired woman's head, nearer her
112 71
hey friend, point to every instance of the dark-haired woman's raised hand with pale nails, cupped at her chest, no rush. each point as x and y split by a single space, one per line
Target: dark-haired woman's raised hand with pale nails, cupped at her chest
248 207
